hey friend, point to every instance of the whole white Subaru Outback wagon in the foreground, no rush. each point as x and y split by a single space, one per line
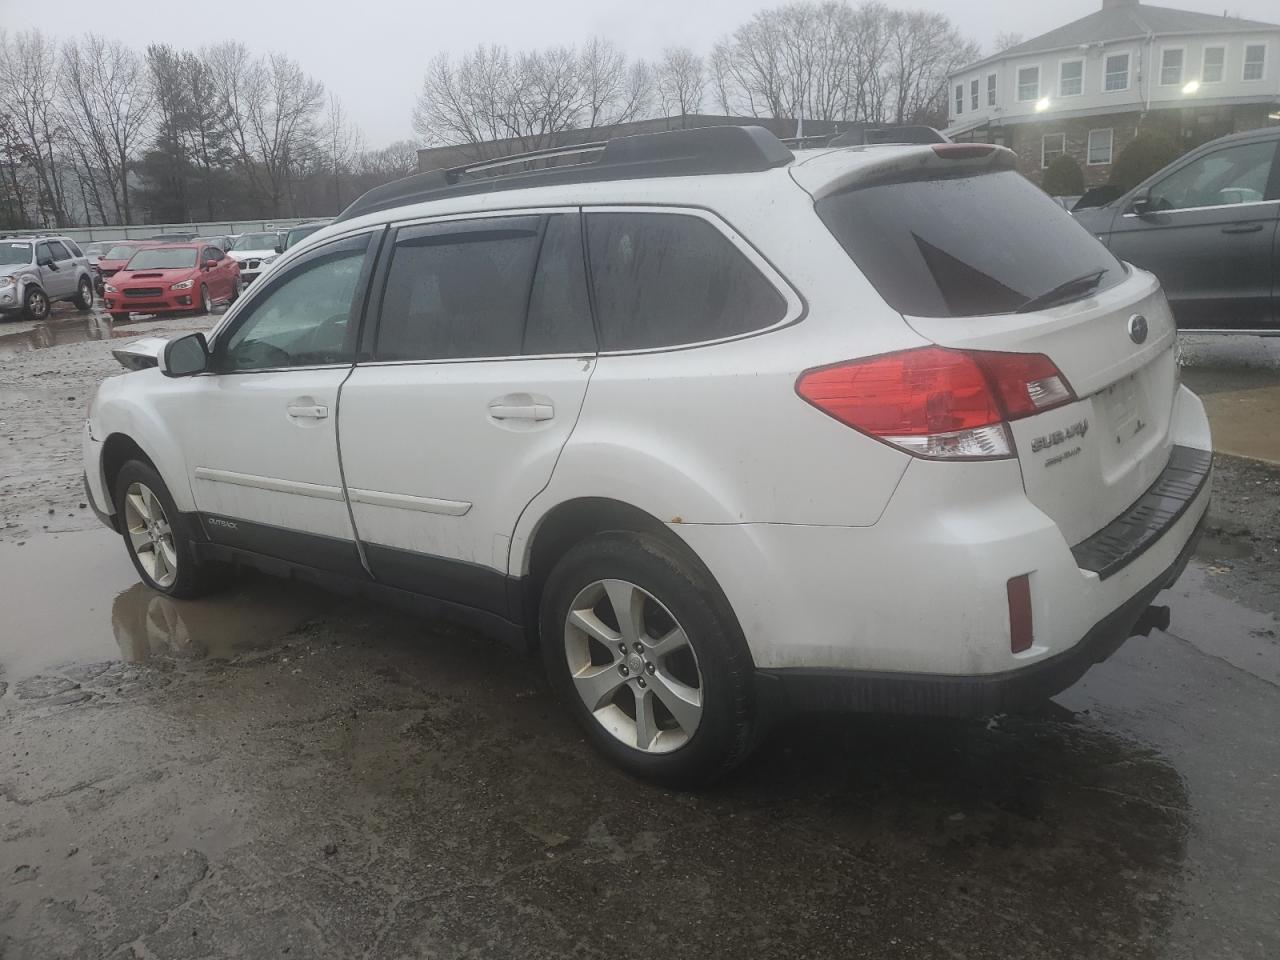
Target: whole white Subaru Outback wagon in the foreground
723 429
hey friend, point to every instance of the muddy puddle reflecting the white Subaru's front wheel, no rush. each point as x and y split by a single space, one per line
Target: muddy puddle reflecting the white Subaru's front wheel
75 598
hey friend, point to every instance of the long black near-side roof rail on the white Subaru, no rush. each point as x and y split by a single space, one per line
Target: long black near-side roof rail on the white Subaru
688 153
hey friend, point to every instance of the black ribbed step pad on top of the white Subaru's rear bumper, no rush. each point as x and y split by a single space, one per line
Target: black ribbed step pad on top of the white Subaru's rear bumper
1130 536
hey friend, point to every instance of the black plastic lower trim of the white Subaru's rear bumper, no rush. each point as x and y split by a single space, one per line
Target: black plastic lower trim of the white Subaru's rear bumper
929 694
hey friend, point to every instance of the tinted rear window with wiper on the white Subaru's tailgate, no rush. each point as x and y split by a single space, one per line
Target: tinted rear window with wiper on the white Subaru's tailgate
964 246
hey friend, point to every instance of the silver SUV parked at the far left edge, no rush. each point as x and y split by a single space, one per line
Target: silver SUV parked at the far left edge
38 271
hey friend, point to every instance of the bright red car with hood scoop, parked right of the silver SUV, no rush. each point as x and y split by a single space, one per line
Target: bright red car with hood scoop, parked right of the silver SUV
173 278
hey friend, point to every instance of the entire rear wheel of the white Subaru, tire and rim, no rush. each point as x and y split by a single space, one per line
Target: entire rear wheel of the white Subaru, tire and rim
643 648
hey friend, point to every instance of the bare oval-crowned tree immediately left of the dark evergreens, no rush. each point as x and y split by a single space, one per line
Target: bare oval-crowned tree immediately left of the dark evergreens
108 103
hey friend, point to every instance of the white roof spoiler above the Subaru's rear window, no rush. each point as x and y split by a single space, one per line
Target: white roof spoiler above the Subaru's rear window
858 167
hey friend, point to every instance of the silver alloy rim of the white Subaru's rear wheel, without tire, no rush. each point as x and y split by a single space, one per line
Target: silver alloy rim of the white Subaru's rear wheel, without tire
633 666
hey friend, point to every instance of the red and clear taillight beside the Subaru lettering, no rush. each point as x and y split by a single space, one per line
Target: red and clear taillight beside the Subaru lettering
936 403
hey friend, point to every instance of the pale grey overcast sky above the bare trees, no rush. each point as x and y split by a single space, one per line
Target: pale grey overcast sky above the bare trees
372 53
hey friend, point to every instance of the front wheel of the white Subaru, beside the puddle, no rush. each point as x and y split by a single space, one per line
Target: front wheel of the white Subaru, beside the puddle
156 537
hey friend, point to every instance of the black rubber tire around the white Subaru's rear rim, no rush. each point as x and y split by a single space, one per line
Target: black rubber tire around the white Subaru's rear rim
728 728
